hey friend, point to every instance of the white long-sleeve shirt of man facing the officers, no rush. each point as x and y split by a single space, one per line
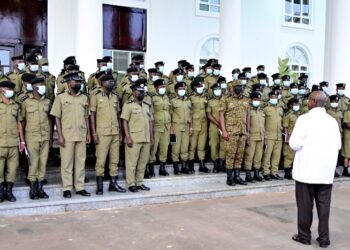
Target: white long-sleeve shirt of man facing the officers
316 140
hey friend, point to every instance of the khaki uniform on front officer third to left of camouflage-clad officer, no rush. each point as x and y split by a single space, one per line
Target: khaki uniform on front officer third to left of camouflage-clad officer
180 118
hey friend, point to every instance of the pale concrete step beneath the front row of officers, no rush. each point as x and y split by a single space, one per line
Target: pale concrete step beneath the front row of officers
163 190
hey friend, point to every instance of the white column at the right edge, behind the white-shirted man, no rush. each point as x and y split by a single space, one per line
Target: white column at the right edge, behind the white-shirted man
337 54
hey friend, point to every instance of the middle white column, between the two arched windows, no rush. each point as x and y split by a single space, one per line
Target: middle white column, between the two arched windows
230 32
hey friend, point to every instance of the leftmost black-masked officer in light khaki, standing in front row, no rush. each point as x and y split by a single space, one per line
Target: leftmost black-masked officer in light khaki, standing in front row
72 121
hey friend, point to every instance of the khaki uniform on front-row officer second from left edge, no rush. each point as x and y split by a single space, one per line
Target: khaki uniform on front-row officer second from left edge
35 113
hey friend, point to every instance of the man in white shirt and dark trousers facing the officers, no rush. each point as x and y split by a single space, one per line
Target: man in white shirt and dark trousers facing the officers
316 140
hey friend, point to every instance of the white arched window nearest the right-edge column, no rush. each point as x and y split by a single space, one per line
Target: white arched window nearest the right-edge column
298 60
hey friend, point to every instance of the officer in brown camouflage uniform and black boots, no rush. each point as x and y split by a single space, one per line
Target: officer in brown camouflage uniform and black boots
234 122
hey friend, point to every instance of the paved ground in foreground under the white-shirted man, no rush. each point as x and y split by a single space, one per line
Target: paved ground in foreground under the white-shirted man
264 221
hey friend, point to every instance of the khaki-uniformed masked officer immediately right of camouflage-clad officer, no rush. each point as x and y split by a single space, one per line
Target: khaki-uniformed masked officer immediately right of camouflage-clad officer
255 145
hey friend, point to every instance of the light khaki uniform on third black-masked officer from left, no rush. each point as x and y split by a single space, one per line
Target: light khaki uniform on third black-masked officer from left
136 158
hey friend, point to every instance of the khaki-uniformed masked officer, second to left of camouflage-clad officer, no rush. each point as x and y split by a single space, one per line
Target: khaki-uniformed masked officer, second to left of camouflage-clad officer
199 135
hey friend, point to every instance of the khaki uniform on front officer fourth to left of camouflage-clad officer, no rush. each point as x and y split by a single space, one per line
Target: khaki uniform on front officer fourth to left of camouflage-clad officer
161 115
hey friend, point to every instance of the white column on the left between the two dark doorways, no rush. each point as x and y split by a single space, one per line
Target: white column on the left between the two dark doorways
88 34
